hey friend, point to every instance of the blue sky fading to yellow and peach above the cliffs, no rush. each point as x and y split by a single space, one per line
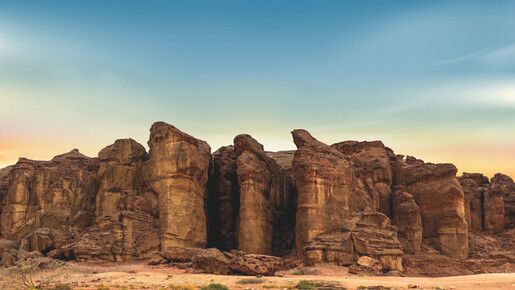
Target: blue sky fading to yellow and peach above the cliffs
432 79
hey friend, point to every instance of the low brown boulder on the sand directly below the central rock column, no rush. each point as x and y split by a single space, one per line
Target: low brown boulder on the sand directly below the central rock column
252 264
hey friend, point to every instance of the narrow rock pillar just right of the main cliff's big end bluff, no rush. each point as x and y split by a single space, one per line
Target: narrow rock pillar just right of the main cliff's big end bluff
474 186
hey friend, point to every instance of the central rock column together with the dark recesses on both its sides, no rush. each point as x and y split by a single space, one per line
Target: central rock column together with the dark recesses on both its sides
253 200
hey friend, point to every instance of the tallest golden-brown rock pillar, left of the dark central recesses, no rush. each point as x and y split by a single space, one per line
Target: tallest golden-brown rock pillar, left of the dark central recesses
177 171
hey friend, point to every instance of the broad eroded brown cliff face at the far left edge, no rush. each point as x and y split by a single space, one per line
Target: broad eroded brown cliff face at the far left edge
56 194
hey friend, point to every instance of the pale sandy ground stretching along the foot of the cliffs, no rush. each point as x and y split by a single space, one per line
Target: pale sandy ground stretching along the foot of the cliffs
141 276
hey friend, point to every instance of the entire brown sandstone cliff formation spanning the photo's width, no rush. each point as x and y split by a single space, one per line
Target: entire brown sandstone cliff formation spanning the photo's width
325 204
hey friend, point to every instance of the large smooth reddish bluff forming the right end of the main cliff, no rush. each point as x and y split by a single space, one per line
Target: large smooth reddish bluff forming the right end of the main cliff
441 200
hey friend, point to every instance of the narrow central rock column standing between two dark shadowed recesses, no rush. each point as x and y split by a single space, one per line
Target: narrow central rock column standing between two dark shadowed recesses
265 194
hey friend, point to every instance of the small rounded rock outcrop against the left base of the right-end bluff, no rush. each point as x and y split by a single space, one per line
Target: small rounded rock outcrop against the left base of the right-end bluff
407 218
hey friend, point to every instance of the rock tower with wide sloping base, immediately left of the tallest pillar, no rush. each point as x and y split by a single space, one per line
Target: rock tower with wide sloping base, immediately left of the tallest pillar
124 228
